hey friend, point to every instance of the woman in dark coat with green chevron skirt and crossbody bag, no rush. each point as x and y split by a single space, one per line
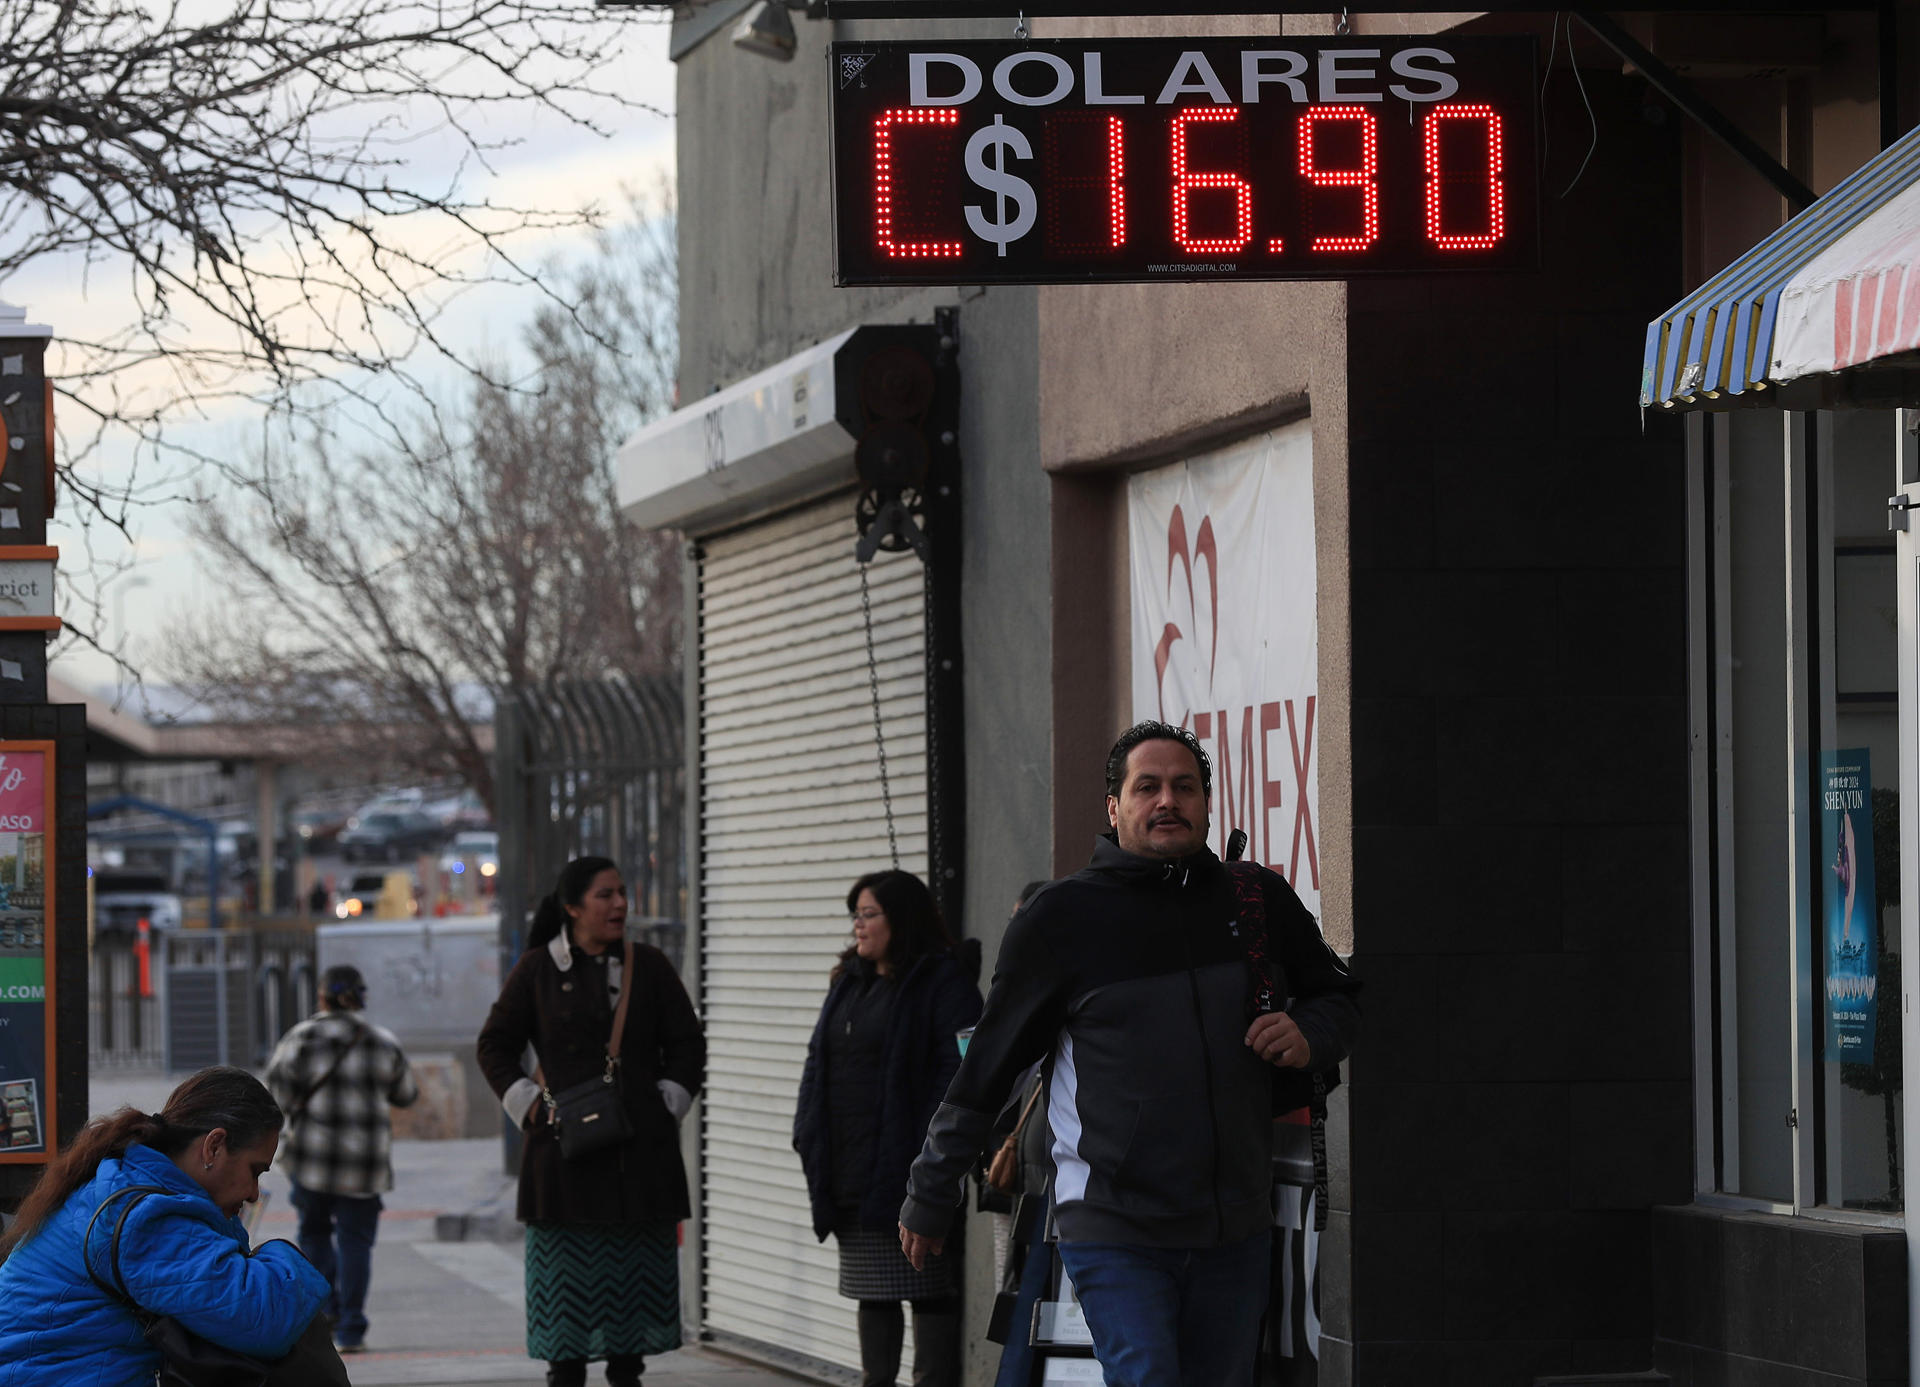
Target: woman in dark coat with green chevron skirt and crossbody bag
606 1219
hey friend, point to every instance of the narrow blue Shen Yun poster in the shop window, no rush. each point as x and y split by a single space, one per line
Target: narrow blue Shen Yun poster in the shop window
1852 919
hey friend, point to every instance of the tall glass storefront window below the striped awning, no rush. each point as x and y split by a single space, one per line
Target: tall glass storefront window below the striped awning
1796 716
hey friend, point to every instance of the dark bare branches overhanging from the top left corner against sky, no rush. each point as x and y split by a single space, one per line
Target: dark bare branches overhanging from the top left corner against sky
243 183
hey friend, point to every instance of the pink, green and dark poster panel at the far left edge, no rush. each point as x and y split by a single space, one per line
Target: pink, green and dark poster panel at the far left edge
26 994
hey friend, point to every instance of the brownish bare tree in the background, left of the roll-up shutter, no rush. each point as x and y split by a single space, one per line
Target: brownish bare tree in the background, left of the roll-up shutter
381 598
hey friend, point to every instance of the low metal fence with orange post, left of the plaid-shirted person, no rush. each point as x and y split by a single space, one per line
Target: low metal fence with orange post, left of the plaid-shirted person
208 998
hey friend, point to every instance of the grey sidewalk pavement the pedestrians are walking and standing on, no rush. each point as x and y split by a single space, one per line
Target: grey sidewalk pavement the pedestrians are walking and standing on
444 1311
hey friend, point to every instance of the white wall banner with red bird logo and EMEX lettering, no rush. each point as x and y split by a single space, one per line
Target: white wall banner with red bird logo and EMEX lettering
1226 635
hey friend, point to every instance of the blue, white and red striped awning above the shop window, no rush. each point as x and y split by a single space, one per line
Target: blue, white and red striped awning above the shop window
1825 293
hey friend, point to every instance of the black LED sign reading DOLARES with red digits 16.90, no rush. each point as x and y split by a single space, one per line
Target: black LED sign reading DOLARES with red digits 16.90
1143 158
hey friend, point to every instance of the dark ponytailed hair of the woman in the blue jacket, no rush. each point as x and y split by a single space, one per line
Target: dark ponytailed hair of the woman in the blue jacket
222 1098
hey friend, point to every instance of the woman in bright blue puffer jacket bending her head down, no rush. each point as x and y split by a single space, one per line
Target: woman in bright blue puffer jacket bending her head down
183 1252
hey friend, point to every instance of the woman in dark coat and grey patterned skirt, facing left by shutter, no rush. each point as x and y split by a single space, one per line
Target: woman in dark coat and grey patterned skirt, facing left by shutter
876 1069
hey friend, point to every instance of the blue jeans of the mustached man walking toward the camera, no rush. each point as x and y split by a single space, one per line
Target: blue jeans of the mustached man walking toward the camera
1168 1317
